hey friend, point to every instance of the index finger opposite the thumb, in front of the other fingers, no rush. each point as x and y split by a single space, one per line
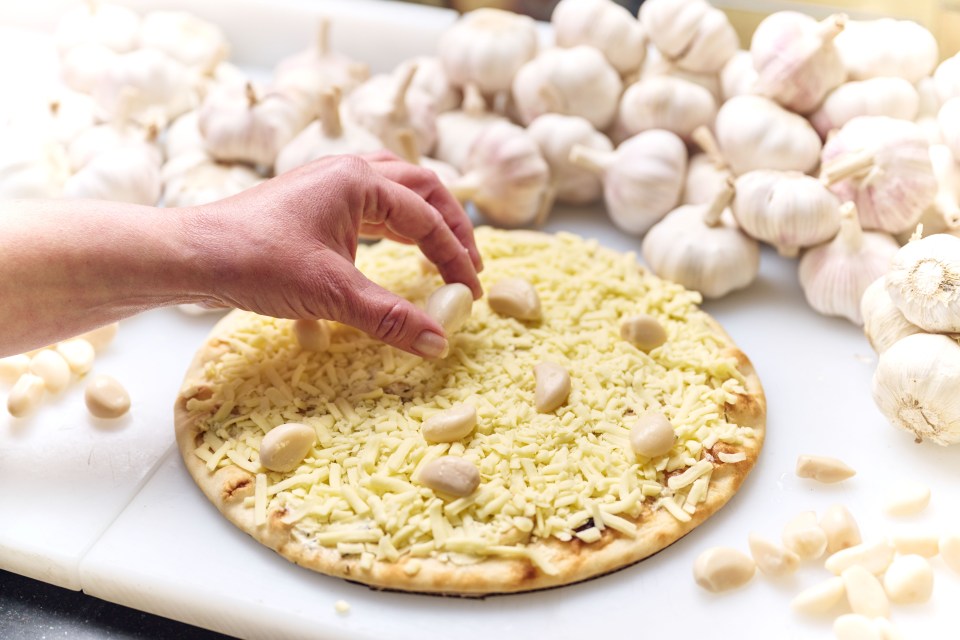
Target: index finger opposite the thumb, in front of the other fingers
408 215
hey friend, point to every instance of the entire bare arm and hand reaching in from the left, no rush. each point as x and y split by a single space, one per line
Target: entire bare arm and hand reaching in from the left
285 249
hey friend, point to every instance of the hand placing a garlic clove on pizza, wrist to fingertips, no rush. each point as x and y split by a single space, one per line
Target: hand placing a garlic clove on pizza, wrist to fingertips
286 248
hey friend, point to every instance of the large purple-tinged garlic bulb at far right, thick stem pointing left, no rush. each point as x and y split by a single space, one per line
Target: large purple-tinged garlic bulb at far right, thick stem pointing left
884 166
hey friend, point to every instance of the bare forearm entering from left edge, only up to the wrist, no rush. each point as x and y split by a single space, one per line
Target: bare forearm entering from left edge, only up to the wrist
70 266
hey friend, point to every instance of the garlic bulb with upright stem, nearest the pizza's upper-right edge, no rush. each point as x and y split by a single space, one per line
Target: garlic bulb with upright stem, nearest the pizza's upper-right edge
700 247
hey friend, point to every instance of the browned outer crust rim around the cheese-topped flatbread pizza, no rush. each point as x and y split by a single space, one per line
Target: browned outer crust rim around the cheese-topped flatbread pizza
231 488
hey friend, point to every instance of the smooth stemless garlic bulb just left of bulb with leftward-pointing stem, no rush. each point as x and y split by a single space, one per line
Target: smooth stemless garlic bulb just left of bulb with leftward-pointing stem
756 133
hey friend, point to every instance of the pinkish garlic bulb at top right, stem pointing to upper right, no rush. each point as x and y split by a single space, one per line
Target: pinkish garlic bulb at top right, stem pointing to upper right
795 59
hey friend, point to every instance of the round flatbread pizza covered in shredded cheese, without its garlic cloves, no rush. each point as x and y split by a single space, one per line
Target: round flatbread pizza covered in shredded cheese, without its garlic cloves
562 495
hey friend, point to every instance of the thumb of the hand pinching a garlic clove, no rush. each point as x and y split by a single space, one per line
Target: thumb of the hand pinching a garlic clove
385 315
